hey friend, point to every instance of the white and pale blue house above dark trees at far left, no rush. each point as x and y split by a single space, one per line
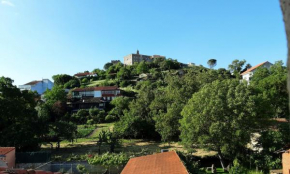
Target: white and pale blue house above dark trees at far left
40 86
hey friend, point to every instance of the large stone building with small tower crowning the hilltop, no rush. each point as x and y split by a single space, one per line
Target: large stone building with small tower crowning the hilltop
137 58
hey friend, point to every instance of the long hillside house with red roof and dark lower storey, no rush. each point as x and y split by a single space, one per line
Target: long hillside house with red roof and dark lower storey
86 98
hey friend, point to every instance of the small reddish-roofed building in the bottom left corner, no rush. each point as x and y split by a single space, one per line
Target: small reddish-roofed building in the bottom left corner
7 155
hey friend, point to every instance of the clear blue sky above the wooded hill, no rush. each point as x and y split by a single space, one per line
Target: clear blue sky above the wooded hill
39 39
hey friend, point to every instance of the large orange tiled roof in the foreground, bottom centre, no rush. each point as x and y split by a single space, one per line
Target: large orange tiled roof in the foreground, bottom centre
161 163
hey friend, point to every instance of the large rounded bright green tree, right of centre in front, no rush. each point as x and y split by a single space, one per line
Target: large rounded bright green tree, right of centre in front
220 117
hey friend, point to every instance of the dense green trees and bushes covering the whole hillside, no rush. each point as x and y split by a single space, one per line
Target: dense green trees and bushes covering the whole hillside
162 100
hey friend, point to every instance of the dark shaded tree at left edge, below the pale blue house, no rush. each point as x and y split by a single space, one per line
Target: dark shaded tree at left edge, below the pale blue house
19 125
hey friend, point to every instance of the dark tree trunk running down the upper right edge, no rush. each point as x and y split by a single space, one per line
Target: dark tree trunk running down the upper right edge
285 6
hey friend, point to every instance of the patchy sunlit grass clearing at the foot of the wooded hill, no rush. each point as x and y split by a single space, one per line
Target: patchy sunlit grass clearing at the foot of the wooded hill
88 145
